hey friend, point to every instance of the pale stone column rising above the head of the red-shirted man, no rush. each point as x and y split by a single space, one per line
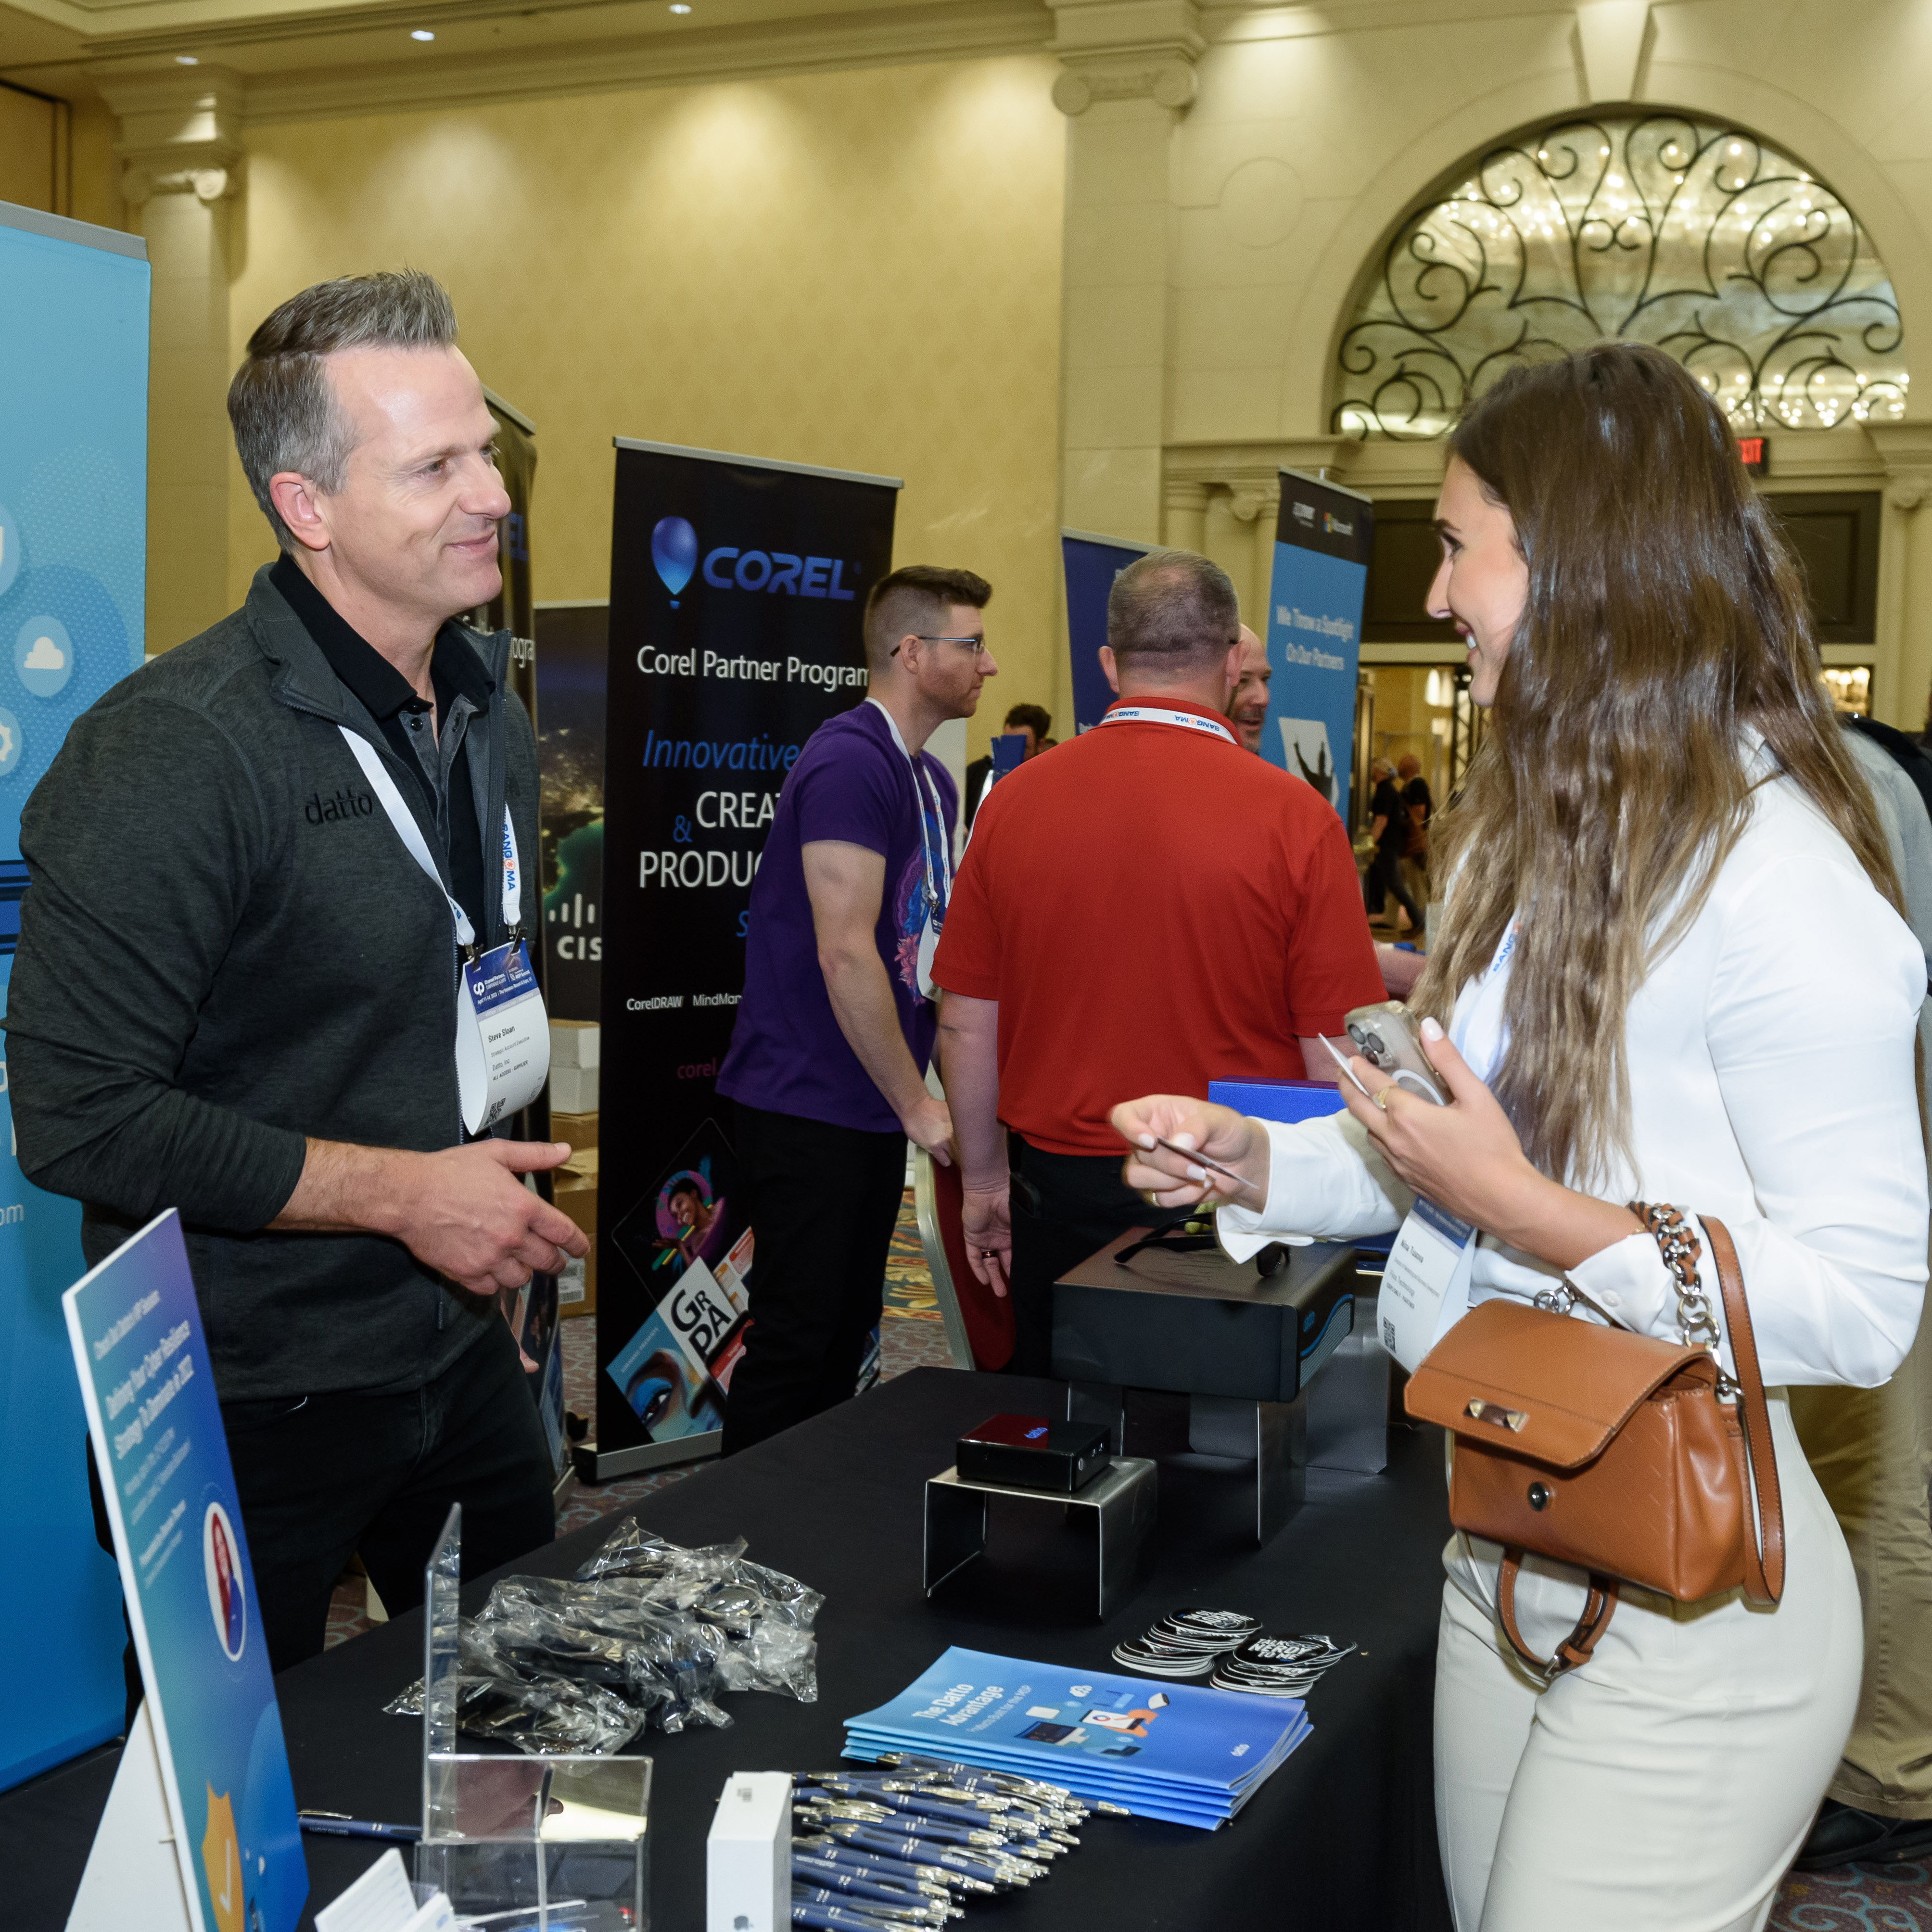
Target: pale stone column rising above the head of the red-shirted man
1127 78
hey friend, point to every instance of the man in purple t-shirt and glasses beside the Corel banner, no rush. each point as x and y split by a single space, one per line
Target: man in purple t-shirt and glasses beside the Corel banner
836 1031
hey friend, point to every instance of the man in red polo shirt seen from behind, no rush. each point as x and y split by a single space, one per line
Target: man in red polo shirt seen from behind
1141 913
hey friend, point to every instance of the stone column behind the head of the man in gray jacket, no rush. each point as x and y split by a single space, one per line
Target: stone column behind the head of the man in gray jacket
181 152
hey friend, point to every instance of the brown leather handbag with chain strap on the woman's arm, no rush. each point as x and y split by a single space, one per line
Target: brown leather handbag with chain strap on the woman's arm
1628 1458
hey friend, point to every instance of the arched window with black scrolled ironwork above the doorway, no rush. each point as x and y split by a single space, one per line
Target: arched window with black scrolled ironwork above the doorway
1662 229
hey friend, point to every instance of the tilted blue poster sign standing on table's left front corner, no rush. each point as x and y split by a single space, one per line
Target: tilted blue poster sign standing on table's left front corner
171 1494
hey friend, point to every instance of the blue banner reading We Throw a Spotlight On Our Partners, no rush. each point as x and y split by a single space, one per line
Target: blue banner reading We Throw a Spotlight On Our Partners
1315 631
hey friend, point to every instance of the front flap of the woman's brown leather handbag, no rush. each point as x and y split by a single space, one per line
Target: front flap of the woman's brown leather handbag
1539 1384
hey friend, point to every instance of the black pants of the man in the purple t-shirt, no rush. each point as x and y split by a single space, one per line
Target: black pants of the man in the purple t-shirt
824 1205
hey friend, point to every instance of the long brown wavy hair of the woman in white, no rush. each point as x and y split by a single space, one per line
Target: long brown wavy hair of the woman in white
1664 615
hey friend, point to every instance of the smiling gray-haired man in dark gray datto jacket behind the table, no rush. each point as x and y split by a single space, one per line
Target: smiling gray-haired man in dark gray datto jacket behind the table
237 990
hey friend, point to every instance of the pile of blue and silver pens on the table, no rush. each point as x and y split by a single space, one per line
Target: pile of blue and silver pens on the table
911 1840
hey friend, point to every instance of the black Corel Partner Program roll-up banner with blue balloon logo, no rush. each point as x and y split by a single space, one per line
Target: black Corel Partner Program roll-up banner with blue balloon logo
737 590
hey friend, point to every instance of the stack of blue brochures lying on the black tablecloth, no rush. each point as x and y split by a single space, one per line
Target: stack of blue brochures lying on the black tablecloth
1162 1749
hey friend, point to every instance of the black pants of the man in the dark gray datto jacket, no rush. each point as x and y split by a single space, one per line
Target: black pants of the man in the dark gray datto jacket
326 1477
